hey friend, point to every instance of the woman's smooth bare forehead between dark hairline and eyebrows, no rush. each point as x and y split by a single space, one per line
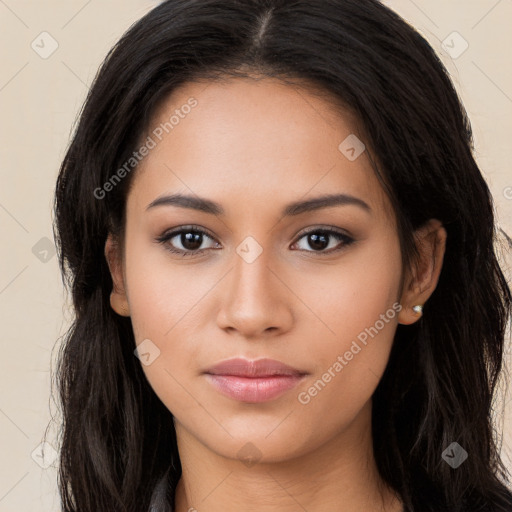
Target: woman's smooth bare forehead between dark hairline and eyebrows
254 139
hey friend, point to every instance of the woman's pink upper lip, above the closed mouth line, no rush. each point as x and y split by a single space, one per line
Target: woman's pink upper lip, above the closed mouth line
260 368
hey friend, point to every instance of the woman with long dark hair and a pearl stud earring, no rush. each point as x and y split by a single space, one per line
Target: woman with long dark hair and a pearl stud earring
280 250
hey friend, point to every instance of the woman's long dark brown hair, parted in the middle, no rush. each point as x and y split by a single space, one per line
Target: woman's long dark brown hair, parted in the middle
118 439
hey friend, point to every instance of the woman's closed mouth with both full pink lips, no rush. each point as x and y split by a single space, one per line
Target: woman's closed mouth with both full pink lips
253 381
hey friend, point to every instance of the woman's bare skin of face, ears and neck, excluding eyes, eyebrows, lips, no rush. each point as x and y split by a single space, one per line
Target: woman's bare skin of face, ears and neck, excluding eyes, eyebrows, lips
253 146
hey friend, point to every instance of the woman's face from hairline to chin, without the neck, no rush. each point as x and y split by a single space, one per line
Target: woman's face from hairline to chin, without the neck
263 269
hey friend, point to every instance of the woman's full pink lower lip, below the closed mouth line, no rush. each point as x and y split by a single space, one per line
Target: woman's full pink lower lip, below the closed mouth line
253 389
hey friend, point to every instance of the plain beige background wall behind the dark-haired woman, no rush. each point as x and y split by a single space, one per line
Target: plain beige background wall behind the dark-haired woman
39 99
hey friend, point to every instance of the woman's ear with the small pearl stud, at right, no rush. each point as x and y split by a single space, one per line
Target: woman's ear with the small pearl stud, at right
421 281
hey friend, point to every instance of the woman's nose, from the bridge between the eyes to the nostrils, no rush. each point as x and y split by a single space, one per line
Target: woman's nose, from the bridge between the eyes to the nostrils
256 302
